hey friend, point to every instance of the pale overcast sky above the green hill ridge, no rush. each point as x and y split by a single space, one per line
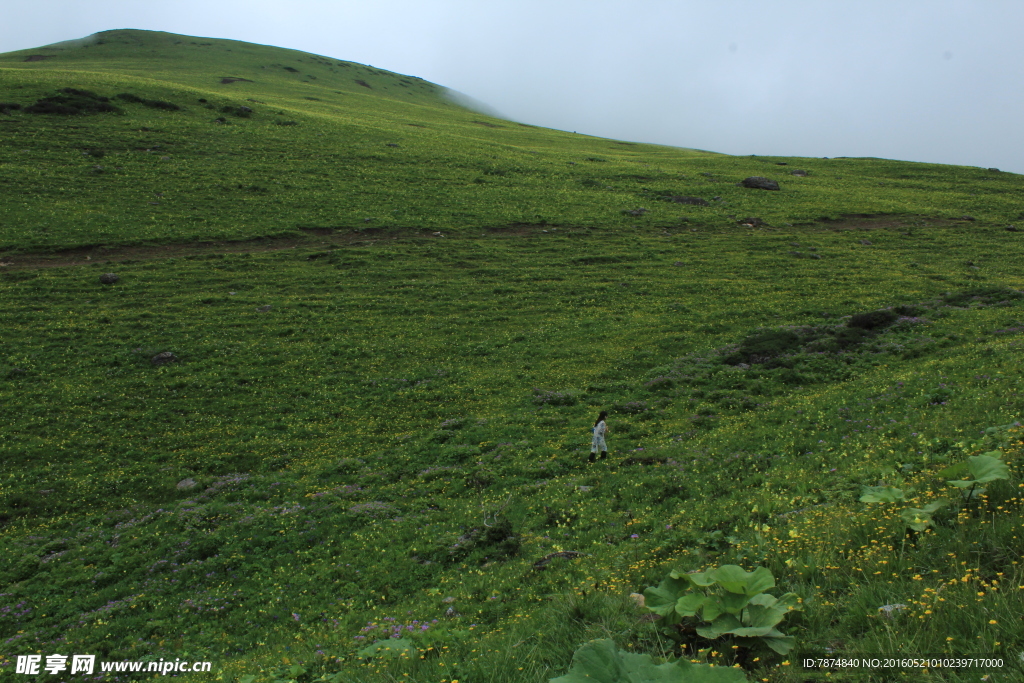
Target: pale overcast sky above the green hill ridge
931 80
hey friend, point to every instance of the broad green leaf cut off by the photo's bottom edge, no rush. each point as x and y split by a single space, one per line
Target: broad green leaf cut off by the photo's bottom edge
602 662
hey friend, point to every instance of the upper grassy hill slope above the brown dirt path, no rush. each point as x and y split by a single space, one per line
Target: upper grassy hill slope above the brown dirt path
308 144
